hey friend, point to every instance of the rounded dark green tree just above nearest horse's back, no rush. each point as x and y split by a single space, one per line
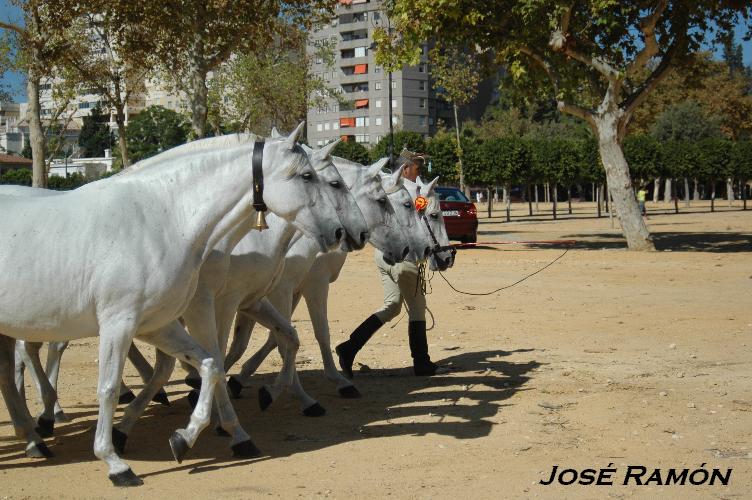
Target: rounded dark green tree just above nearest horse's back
154 130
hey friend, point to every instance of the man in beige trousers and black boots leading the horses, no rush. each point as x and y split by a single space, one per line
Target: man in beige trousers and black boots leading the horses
400 283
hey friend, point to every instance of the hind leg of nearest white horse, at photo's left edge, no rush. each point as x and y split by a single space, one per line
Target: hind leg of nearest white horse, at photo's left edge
19 413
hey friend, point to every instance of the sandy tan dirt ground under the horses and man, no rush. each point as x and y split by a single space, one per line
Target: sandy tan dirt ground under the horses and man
606 357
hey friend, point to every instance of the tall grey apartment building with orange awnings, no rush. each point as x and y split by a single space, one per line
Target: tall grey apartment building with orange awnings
364 117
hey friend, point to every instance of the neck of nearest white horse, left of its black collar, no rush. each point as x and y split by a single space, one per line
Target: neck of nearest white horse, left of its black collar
209 196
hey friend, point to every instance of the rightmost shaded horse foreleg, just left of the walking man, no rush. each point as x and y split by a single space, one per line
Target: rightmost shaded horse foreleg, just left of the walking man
316 295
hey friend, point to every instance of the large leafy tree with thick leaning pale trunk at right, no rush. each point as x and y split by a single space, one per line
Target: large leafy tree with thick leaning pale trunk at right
586 55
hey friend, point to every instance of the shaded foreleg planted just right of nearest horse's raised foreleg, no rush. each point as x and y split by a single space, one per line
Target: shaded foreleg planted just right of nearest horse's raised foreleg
201 320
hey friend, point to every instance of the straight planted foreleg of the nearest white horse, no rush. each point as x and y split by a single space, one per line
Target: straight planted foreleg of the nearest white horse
116 335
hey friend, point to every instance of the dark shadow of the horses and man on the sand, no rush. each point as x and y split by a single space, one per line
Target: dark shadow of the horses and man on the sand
462 404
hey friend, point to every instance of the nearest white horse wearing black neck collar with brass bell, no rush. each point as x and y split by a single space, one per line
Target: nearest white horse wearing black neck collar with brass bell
121 258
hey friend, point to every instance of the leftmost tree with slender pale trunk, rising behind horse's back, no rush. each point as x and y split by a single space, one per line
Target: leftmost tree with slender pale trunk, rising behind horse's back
40 41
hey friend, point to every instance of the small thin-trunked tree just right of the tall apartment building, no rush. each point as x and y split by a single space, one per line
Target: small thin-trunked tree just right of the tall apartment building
456 78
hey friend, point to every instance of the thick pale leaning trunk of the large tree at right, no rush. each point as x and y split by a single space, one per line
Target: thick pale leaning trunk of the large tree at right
620 185
